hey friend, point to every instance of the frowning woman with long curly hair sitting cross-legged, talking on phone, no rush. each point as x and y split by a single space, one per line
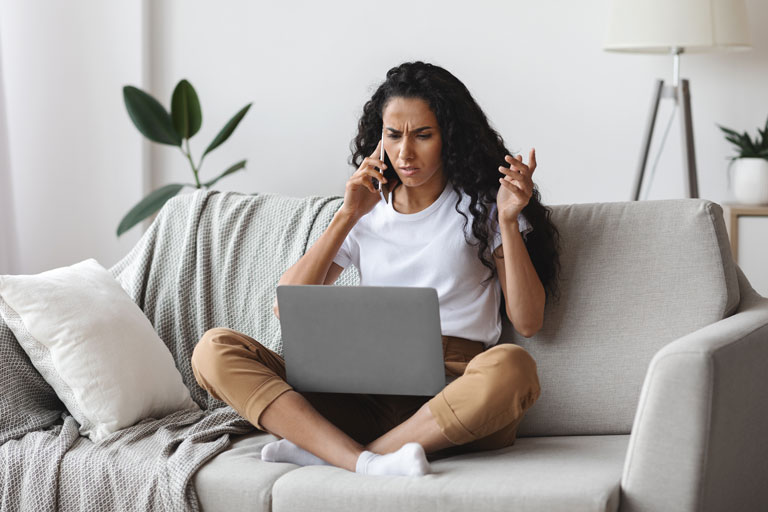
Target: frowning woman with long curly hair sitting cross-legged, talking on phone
446 162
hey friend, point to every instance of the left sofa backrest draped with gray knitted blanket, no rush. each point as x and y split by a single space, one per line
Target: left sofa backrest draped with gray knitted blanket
213 259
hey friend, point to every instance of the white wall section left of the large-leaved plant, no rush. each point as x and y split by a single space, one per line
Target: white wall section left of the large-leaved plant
76 160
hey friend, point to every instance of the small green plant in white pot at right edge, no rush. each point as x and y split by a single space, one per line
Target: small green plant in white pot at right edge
750 166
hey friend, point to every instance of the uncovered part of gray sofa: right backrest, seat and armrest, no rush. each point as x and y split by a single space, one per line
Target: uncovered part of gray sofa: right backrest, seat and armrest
654 371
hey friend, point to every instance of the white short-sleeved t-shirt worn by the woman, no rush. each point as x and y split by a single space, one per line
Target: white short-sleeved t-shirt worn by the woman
428 249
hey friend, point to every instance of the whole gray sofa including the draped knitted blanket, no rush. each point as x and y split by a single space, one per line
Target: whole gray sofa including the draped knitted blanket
653 367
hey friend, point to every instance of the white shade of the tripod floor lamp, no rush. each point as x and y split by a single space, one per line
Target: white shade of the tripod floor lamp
657 26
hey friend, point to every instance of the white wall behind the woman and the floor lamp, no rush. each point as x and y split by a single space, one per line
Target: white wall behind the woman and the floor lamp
537 69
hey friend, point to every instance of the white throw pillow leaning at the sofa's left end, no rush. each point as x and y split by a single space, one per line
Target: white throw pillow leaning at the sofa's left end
94 346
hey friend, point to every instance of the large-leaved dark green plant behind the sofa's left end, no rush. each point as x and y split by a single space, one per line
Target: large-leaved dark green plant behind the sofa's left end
175 129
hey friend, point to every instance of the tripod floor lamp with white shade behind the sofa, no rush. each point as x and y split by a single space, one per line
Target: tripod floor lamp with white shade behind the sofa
675 27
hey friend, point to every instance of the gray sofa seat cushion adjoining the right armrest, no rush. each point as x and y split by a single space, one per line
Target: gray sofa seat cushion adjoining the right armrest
569 474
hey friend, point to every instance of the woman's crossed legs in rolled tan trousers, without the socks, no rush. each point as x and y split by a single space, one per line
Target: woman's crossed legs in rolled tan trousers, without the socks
497 387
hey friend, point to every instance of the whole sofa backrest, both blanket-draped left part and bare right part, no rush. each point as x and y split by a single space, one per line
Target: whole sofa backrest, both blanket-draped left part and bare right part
635 276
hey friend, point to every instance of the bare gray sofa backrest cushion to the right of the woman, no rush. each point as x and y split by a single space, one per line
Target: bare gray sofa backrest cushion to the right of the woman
635 276
